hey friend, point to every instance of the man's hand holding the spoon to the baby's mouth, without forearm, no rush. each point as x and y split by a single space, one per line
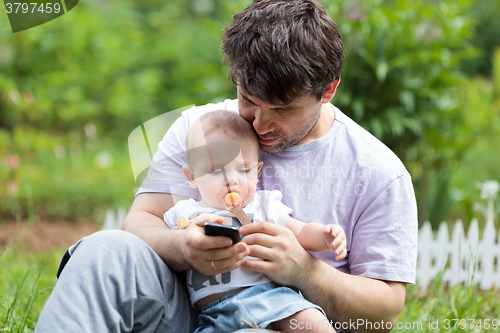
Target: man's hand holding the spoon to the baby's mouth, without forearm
284 259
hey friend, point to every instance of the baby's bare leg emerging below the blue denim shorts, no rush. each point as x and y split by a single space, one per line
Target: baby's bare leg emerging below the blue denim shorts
308 320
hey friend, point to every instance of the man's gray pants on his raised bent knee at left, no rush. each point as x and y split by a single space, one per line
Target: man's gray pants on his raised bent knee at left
114 282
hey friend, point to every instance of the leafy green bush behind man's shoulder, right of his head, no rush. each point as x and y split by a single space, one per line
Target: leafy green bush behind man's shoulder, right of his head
402 81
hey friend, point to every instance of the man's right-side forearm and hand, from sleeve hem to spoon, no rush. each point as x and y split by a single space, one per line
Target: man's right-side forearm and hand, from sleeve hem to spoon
345 298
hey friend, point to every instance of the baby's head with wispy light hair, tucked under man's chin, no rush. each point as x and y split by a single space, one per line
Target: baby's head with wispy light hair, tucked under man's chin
222 139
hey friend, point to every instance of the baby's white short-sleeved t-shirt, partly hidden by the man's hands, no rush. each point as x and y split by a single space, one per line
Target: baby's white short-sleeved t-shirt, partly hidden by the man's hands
266 206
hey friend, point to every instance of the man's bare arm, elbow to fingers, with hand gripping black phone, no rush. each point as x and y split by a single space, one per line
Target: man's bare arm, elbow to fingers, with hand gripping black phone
180 249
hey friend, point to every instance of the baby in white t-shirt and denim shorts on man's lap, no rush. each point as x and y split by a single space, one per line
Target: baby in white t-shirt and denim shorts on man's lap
223 157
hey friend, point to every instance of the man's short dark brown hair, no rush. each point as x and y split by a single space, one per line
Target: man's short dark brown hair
282 49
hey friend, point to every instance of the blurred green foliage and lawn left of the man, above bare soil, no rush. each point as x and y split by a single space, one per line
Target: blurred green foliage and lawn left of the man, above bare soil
104 65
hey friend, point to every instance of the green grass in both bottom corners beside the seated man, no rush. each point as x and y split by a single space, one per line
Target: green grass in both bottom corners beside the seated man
27 279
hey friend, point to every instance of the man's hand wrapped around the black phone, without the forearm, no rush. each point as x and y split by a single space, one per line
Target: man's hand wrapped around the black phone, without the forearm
211 255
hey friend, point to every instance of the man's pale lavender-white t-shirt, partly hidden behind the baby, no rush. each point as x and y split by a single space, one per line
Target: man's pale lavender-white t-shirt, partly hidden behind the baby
347 177
